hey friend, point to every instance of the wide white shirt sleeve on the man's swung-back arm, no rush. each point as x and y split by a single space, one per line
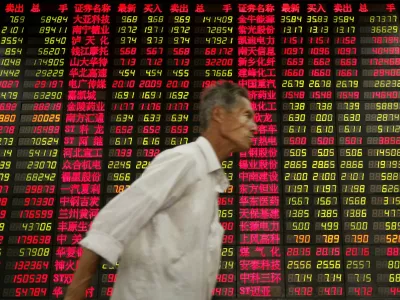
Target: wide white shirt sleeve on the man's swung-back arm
161 184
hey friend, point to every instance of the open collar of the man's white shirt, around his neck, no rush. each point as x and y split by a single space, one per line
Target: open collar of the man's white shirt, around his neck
213 163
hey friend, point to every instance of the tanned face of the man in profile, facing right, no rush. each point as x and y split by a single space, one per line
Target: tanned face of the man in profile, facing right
239 126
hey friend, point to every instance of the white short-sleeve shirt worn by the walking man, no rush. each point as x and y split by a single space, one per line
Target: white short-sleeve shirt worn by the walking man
164 229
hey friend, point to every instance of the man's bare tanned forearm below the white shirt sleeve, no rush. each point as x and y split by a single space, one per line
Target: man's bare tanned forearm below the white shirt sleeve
87 266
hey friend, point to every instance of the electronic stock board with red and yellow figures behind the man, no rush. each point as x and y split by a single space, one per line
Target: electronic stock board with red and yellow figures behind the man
91 92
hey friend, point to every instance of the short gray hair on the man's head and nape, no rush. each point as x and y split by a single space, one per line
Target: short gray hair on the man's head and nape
223 93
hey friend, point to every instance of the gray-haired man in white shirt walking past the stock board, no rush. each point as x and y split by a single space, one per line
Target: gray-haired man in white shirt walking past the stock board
164 228
